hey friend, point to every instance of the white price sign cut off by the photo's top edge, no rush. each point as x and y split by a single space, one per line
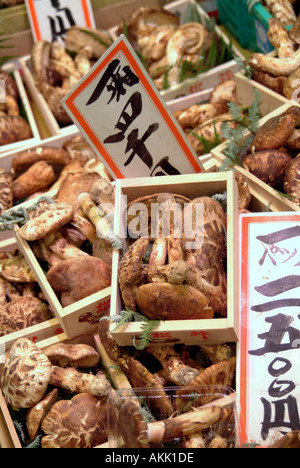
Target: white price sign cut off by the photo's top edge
50 19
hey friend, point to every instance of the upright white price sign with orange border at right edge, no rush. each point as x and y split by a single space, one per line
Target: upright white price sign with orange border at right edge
268 379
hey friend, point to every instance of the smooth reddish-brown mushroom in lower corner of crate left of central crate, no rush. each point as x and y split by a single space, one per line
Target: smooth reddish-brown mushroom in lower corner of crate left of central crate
79 277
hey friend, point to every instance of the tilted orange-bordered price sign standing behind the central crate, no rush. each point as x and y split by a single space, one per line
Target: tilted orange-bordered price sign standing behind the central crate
117 107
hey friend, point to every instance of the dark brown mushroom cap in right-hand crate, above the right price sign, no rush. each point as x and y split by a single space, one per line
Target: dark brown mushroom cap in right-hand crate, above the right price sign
268 165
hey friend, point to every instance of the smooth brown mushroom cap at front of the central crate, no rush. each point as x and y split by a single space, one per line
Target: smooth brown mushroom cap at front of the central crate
165 301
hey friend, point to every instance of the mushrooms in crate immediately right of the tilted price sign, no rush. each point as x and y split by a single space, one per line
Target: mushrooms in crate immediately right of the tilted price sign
205 120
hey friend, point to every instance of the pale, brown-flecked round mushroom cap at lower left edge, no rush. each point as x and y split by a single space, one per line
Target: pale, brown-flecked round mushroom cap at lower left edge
26 374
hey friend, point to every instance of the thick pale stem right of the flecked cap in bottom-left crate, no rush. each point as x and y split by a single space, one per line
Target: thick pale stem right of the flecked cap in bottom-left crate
74 381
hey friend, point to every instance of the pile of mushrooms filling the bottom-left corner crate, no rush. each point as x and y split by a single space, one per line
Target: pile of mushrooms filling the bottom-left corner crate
62 390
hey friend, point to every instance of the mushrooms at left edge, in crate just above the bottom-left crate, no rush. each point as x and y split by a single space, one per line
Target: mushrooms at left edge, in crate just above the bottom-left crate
22 303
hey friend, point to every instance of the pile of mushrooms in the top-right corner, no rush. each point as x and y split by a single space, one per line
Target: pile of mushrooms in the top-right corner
279 70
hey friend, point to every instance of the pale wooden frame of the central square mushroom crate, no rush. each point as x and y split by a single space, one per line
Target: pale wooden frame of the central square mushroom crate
187 331
